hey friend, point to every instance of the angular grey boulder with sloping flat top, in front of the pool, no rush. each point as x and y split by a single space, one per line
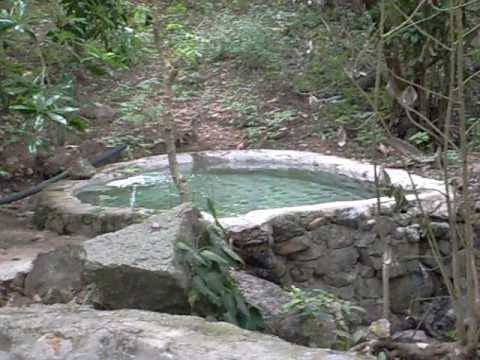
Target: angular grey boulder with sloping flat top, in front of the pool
132 268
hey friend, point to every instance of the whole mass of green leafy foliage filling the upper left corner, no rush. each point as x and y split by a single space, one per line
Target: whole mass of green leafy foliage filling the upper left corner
102 36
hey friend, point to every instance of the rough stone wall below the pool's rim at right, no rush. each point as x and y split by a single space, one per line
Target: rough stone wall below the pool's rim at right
342 252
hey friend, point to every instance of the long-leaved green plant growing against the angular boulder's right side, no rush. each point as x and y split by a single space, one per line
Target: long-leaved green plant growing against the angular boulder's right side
211 282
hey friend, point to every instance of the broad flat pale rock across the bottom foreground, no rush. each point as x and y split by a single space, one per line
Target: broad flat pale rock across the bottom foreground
67 332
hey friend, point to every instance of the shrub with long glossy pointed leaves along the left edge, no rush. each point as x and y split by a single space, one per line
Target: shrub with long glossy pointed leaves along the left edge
25 87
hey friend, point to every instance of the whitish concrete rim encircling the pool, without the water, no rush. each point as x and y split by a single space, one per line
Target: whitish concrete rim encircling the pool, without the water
59 209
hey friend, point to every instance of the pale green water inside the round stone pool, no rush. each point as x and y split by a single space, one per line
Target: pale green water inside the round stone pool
234 191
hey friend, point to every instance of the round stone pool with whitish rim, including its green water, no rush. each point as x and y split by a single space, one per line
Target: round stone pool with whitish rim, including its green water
249 188
